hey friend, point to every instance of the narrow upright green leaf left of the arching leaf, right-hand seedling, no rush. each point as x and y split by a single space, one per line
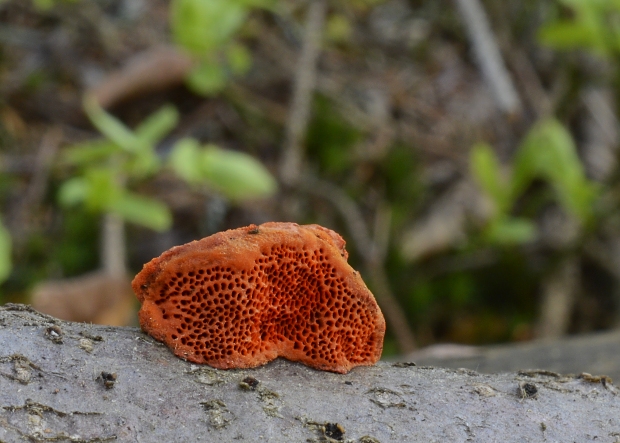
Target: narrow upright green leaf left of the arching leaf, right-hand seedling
486 169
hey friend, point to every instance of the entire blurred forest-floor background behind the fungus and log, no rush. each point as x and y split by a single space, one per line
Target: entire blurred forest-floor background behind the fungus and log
467 151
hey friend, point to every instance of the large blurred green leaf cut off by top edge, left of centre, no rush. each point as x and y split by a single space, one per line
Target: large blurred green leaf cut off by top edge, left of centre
202 26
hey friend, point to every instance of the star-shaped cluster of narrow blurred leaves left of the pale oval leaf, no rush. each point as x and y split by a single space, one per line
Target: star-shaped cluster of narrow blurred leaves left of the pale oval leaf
106 167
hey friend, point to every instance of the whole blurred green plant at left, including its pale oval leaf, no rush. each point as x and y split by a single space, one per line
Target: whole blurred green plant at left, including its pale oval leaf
107 168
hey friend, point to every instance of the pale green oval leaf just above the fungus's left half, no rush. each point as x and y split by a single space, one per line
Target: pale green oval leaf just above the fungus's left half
236 175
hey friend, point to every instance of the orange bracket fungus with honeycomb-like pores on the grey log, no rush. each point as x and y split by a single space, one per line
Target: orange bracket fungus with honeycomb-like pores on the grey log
243 297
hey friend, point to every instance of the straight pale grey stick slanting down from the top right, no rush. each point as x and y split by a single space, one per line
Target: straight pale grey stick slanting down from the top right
489 57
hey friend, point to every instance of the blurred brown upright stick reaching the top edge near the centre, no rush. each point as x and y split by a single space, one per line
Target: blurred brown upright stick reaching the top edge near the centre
303 88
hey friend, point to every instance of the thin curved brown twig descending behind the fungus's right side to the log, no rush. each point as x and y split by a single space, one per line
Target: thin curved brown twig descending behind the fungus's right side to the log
373 262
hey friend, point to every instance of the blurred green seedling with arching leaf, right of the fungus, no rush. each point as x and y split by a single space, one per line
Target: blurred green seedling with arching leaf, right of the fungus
548 153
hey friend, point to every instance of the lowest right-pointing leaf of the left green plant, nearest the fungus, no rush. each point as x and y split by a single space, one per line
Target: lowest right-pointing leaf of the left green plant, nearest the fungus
142 211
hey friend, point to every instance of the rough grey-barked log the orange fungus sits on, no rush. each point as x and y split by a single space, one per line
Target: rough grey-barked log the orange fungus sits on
63 381
